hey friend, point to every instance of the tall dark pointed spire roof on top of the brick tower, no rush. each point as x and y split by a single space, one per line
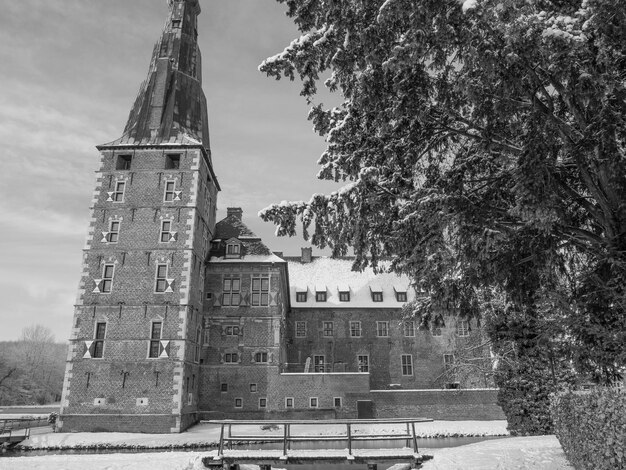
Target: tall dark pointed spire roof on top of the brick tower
170 108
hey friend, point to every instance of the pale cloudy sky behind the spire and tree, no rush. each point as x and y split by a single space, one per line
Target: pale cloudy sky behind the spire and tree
70 71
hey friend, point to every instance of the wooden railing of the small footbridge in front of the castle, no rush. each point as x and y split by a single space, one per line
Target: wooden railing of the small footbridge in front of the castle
227 438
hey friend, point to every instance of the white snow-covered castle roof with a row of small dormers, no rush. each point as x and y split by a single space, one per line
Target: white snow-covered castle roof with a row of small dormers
335 275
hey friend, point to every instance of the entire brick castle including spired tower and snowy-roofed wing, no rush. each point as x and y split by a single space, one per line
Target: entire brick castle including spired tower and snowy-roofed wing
179 317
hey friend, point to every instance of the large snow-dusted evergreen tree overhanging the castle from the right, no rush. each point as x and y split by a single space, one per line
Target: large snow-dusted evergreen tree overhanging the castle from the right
483 146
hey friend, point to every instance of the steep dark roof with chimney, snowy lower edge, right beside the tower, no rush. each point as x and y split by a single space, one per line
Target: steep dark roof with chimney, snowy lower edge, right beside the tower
231 229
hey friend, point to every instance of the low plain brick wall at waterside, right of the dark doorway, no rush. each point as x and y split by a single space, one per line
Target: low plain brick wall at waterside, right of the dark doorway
475 404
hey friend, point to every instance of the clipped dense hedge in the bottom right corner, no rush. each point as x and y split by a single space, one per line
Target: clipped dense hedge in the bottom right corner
591 427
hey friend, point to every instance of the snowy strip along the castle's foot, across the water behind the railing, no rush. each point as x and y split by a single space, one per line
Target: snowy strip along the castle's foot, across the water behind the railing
206 434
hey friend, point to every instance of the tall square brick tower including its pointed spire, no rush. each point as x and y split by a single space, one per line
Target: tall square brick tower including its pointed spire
133 362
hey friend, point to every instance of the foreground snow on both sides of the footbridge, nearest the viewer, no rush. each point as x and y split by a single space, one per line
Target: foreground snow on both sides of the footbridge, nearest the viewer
517 453
